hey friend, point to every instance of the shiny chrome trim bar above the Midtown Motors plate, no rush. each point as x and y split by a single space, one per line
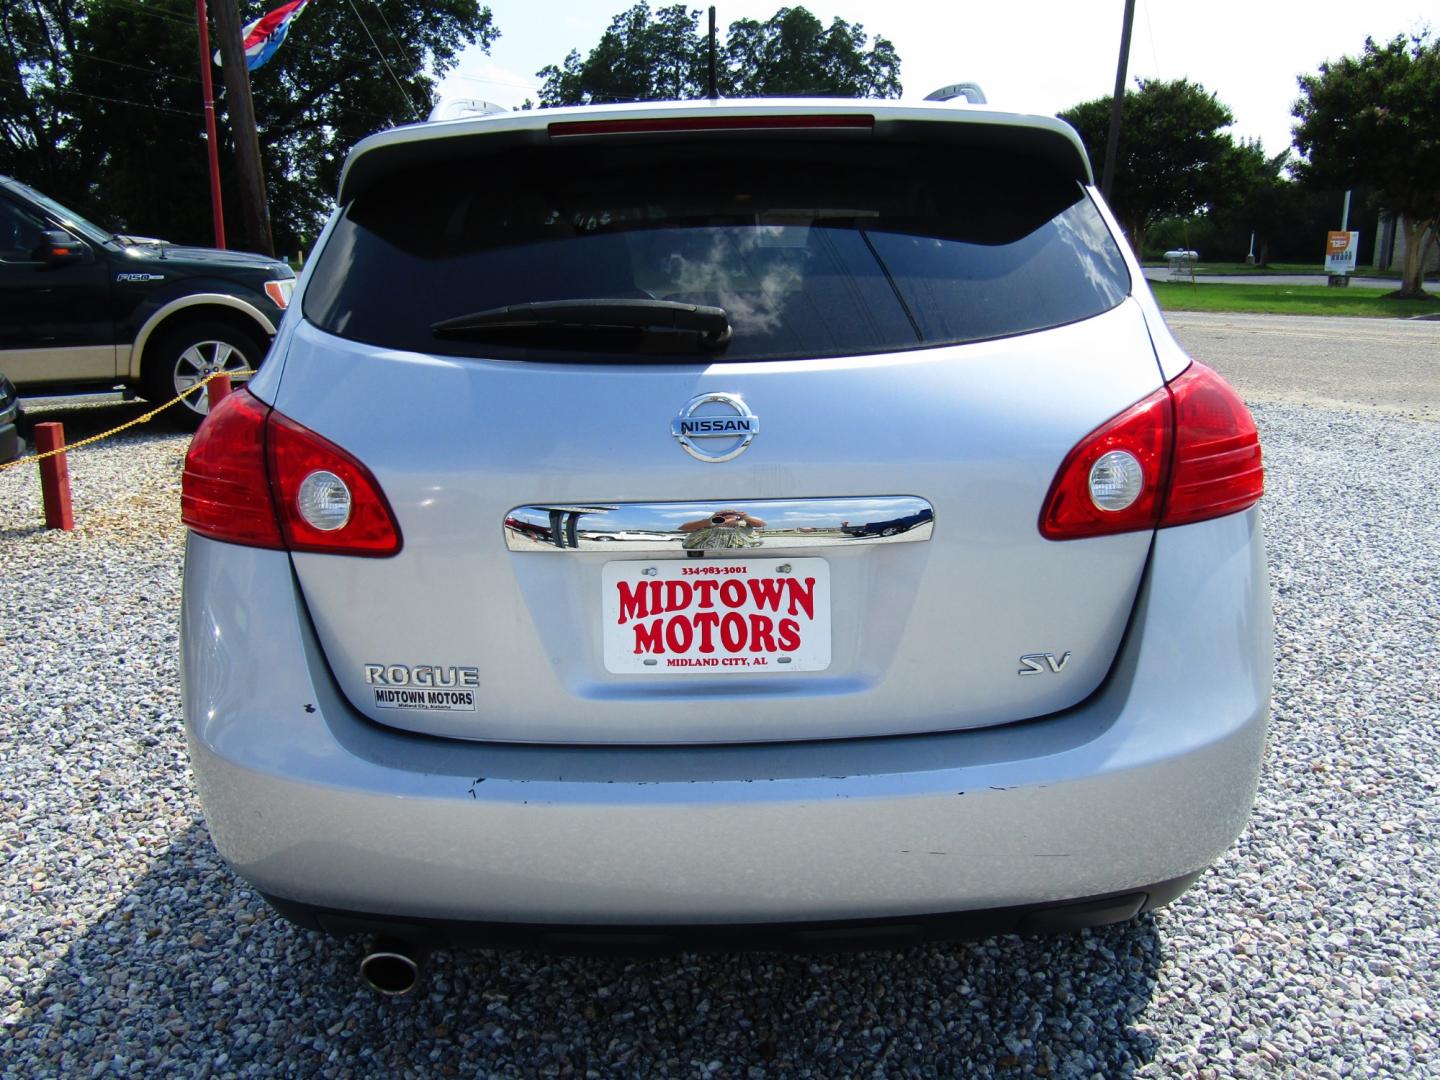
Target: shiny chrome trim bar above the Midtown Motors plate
696 529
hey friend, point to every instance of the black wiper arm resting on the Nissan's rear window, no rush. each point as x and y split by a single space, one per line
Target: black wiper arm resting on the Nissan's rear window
709 325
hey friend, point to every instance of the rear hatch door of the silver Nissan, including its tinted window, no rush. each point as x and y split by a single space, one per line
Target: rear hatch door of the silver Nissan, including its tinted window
917 355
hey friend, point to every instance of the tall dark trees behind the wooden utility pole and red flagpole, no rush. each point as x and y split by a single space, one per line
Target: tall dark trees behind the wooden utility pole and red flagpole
117 132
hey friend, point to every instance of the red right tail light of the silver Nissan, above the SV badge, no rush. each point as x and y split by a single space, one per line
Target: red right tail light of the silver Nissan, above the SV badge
1187 453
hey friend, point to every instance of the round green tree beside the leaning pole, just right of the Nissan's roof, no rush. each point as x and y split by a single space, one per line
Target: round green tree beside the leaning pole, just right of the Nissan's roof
1174 159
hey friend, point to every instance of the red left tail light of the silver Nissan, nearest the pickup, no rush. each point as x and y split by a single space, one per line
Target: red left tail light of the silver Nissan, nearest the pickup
258 479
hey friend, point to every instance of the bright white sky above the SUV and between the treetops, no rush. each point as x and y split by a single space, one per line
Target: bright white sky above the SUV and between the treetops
1027 55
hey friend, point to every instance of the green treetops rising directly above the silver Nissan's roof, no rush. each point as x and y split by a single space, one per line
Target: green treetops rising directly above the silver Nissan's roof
663 57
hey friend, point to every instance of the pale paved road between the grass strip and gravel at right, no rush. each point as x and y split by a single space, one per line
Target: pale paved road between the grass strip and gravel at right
1372 365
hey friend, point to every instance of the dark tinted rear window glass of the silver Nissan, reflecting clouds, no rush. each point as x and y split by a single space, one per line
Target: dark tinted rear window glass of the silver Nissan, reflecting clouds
811 250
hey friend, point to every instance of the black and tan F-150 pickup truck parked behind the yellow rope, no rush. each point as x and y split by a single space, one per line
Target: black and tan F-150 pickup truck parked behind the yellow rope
87 310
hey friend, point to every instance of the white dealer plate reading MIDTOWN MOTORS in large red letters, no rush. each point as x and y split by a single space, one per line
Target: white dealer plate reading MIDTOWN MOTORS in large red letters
744 616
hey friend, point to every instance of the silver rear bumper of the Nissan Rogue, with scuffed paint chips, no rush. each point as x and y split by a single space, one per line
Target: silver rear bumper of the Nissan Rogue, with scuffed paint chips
1147 783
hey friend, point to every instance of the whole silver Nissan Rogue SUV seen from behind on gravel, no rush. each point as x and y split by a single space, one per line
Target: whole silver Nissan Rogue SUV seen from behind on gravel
724 523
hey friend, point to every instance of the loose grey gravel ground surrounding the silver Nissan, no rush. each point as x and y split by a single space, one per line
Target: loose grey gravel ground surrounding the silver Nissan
127 948
